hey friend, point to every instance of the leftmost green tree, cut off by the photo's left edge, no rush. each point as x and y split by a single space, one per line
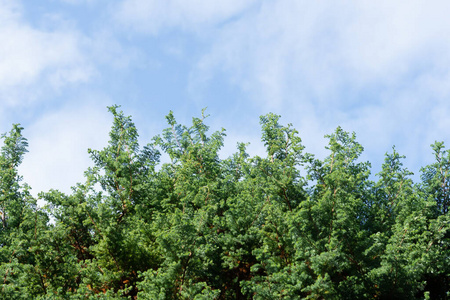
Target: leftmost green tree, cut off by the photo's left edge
20 223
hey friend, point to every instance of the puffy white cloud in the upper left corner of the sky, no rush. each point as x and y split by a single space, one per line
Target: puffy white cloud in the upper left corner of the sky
32 59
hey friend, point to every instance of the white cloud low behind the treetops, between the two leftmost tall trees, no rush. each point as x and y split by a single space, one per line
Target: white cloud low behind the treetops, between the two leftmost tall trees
58 144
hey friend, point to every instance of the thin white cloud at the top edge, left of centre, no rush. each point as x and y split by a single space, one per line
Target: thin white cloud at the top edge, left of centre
151 16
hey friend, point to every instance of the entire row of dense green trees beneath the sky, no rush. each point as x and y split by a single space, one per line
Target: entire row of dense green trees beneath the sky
201 227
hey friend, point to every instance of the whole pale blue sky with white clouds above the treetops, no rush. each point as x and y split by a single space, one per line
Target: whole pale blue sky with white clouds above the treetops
378 68
